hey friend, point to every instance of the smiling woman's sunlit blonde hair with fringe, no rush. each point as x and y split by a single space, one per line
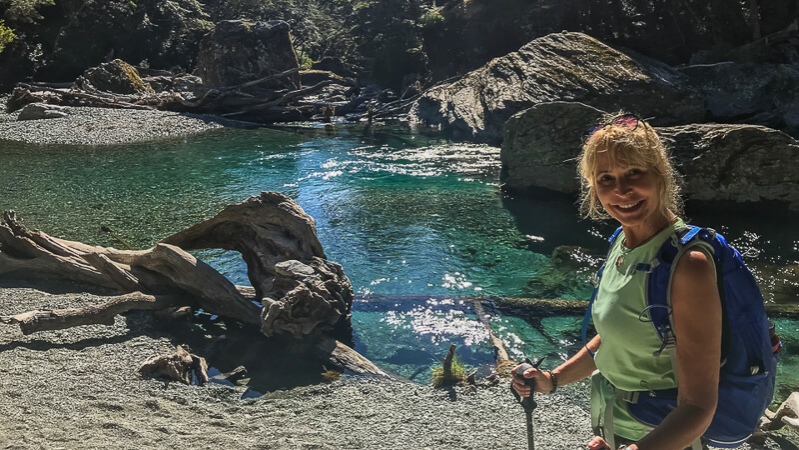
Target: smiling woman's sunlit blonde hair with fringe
639 147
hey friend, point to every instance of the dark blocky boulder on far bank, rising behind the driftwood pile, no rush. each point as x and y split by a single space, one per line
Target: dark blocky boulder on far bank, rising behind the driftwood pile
238 51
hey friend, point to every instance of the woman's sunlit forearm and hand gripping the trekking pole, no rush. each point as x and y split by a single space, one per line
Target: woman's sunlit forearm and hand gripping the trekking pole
576 368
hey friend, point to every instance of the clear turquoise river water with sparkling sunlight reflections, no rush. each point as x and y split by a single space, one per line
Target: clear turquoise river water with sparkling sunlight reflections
419 224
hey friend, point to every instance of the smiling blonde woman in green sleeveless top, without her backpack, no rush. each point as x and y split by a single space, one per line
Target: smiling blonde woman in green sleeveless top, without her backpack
627 176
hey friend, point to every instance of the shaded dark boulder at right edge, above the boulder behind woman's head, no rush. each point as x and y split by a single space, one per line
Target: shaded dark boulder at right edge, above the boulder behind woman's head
763 94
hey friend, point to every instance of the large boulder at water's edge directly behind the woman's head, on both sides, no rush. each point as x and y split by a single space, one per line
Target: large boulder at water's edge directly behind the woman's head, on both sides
739 163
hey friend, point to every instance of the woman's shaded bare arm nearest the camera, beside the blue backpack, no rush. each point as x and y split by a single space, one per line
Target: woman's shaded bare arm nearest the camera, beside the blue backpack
696 309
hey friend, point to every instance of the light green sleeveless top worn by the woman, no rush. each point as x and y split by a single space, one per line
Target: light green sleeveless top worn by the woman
625 357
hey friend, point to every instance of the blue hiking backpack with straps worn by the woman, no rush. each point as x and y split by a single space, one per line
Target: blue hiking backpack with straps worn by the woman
749 356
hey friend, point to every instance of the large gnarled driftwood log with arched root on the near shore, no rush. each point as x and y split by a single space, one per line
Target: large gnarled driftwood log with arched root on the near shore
296 291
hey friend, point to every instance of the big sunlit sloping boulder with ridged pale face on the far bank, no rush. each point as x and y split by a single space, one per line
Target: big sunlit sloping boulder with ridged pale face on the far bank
558 67
